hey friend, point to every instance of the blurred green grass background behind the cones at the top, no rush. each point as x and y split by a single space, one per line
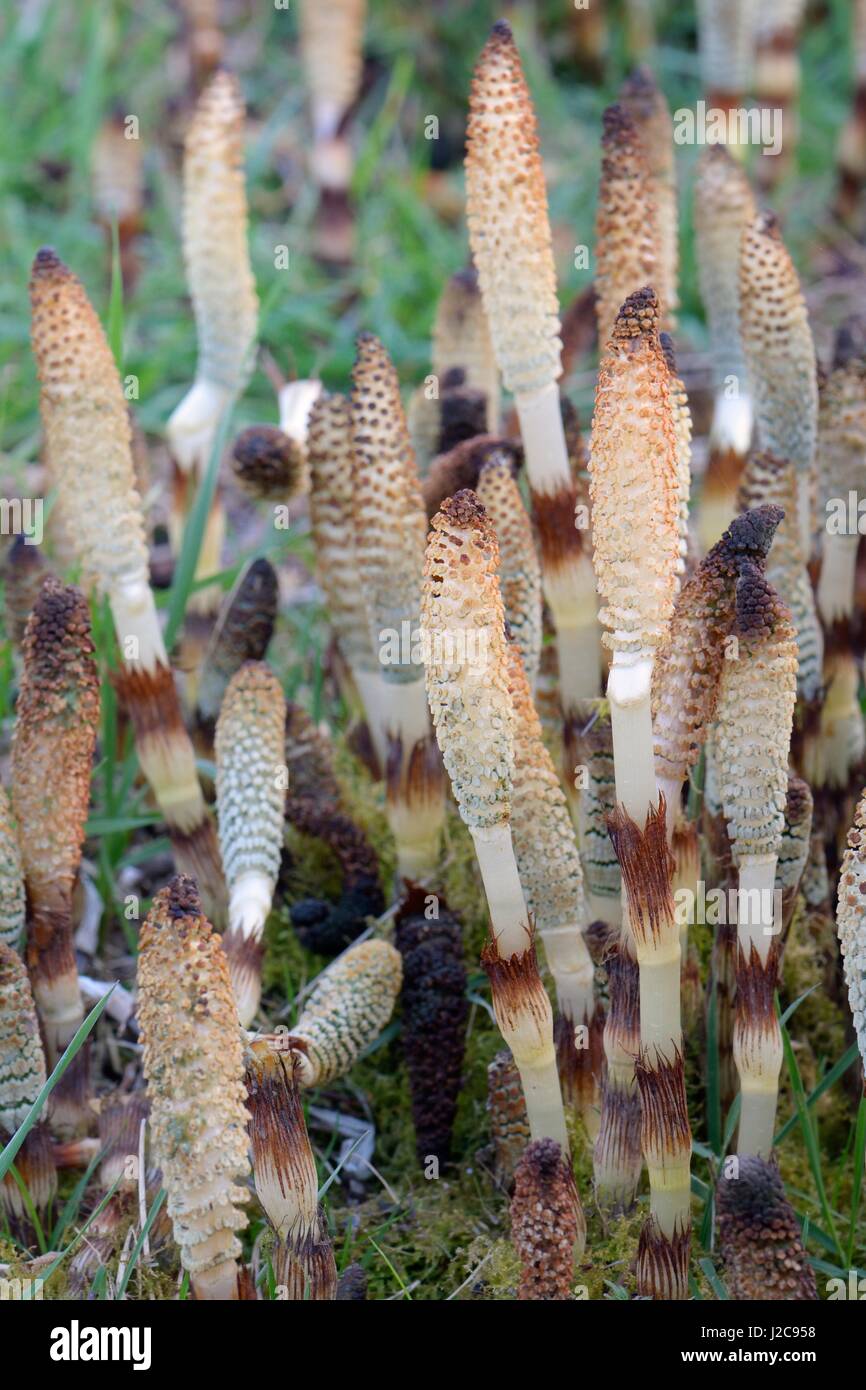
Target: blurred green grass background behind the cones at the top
67 69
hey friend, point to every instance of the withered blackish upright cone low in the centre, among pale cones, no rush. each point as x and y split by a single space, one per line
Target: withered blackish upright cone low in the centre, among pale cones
434 1018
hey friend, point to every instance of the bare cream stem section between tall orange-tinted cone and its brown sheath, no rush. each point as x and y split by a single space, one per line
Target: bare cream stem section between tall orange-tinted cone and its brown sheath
629 692
